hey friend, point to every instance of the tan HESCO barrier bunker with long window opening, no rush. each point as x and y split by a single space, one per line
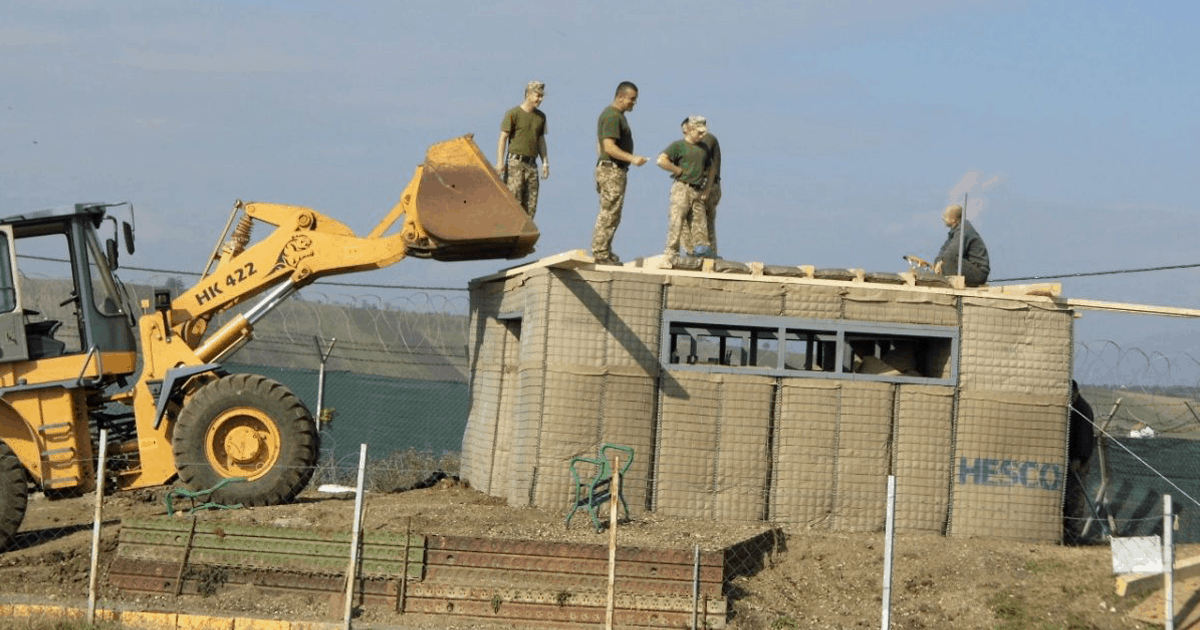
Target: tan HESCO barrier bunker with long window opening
757 395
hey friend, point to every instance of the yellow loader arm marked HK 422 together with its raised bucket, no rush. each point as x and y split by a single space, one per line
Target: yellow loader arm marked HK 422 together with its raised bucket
455 208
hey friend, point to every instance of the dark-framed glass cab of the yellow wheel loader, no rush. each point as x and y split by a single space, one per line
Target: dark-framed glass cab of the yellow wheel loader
58 293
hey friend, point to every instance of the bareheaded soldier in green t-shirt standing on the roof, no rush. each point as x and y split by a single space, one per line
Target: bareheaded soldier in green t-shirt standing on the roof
615 149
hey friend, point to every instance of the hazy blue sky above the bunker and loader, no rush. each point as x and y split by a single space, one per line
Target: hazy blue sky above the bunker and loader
845 125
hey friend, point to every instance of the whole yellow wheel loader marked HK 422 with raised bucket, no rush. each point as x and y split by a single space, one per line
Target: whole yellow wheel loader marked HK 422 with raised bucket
154 379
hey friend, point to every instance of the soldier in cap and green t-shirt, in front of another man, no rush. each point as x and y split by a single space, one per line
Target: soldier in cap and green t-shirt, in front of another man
686 161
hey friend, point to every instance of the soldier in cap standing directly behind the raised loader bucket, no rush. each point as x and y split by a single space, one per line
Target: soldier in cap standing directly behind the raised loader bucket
523 140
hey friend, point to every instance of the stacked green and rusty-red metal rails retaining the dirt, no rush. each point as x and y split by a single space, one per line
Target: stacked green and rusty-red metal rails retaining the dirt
524 583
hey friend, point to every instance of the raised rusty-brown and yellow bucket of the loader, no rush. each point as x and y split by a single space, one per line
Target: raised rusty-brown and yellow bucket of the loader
465 211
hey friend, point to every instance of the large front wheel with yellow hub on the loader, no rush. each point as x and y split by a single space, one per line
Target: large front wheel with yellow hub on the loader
249 427
